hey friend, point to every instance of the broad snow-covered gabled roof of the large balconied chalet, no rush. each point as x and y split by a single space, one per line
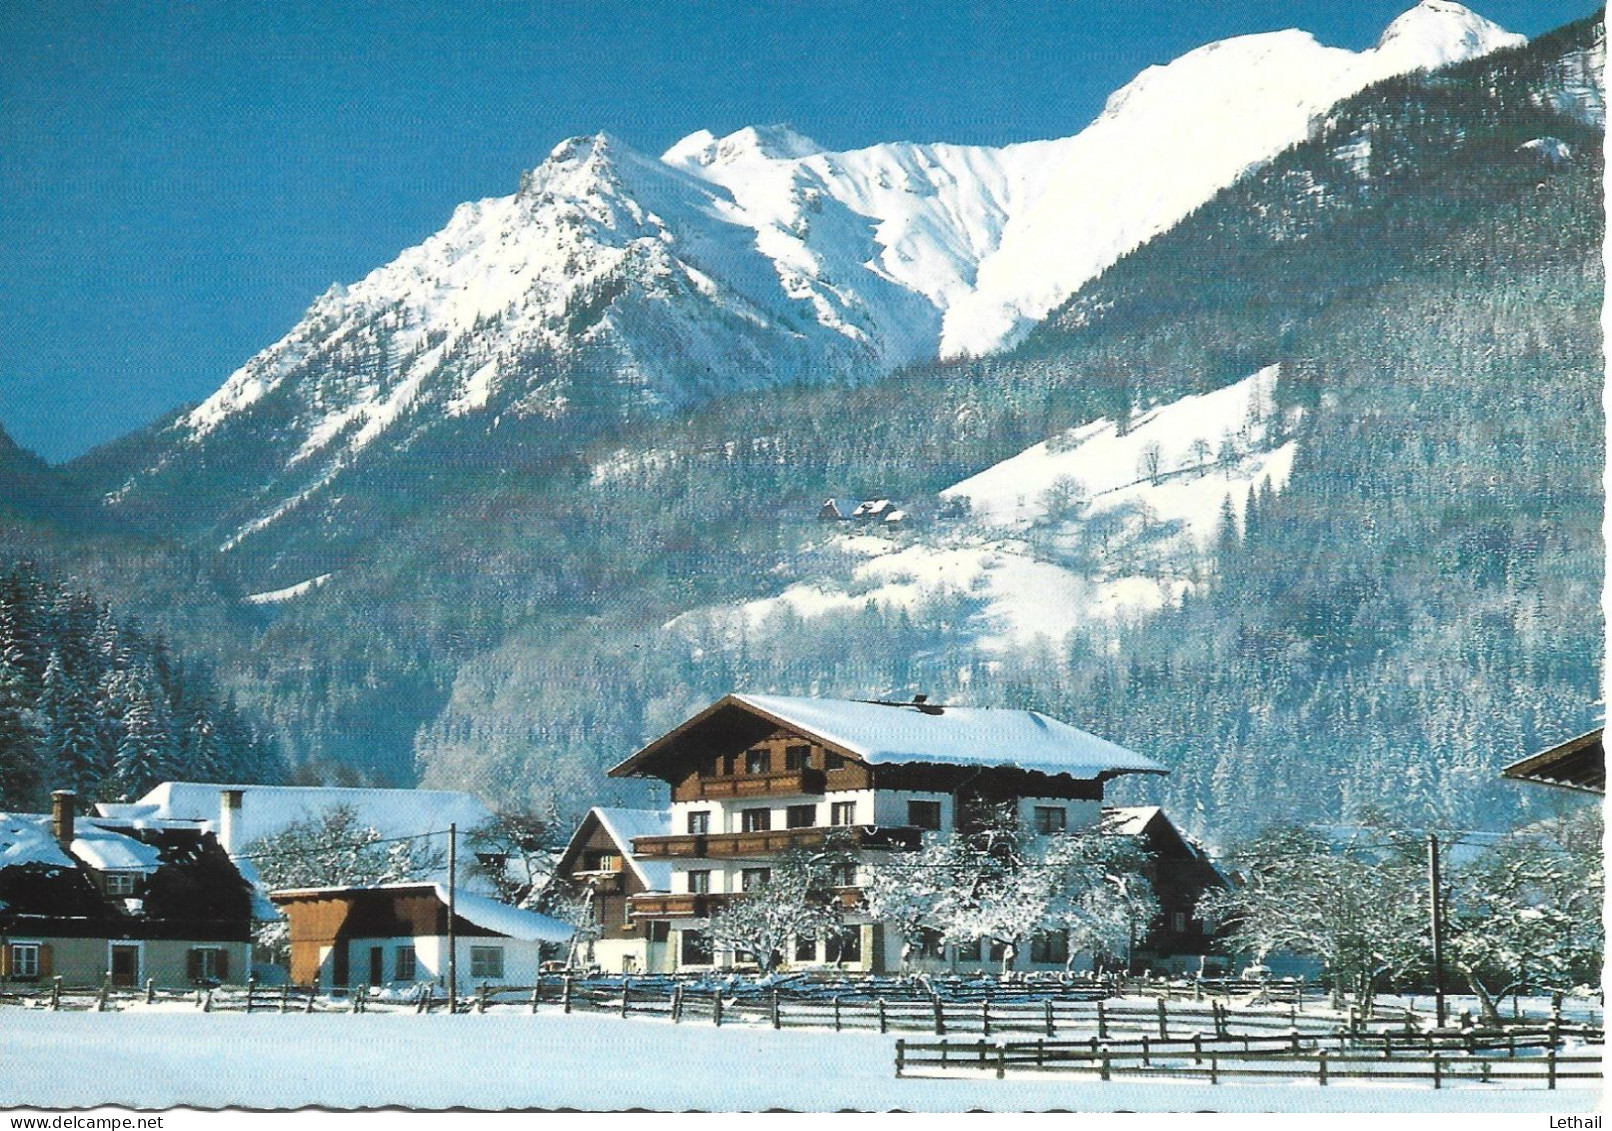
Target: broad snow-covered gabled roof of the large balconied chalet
924 734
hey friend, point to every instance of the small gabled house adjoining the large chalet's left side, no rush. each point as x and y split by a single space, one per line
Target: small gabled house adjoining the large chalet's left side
600 860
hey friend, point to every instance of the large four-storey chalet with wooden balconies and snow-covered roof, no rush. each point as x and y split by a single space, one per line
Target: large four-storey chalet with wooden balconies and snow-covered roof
754 777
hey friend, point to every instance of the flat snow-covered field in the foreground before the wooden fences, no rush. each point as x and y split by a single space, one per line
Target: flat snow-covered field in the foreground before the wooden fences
344 1061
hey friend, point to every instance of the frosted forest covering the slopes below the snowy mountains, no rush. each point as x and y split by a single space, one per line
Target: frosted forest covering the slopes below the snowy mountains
1416 608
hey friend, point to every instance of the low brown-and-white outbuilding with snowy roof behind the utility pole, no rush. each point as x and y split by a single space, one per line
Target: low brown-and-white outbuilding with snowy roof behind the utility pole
399 935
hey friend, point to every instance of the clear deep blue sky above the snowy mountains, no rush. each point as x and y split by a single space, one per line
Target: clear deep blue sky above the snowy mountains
178 181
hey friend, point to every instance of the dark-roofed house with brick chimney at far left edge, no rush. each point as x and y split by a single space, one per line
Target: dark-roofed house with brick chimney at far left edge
88 900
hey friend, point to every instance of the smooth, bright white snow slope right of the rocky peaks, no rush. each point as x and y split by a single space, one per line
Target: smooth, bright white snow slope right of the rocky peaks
1170 141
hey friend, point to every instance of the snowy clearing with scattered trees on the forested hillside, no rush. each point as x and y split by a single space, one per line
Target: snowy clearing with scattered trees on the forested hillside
1094 528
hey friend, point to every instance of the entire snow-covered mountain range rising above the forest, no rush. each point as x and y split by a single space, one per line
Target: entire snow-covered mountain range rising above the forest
615 284
